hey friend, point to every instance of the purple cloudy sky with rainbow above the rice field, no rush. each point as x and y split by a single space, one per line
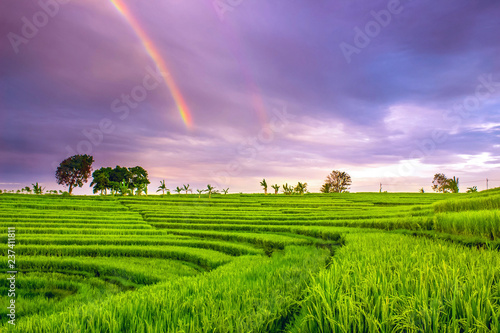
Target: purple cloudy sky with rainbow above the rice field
229 92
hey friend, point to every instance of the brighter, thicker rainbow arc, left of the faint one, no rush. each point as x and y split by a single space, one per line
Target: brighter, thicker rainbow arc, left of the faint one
156 57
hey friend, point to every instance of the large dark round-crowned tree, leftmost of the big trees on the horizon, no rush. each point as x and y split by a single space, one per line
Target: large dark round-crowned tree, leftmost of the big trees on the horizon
74 171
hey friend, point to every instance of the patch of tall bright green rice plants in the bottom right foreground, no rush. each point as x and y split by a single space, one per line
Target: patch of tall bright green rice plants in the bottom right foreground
387 283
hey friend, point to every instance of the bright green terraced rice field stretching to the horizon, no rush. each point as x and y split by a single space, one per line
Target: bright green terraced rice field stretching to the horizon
254 263
